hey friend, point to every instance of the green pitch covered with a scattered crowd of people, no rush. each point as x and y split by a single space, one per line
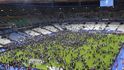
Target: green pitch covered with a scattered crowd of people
70 51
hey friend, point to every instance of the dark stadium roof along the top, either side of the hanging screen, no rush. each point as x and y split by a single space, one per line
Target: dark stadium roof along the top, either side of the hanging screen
118 4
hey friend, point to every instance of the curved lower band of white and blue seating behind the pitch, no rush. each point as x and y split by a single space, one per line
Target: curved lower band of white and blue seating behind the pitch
22 36
